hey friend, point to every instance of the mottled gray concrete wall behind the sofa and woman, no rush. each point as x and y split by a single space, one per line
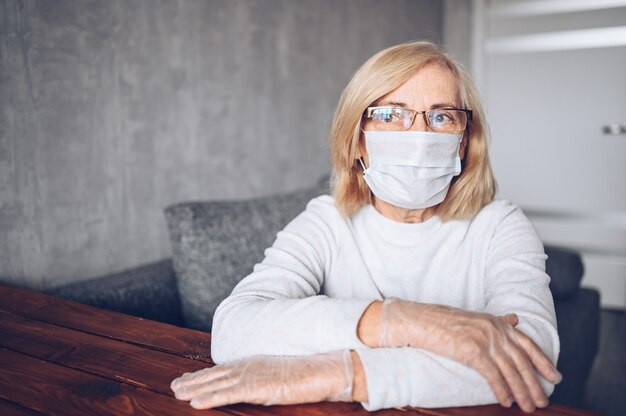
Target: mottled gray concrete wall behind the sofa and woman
111 110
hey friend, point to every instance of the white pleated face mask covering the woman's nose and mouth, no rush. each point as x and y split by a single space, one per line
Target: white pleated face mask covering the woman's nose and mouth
411 169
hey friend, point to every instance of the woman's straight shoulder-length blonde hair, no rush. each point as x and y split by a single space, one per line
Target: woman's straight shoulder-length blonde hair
474 188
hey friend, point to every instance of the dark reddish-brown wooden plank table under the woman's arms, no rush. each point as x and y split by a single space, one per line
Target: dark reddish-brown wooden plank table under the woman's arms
63 358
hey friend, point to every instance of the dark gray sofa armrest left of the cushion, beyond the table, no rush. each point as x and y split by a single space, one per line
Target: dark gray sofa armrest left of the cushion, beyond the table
148 291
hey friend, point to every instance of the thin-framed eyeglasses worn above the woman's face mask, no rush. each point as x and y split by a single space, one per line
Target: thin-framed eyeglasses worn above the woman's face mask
442 120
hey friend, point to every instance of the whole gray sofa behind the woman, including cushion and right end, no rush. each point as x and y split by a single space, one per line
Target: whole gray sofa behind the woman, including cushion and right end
215 244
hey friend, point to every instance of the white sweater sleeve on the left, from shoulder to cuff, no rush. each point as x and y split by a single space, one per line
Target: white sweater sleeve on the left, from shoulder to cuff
277 309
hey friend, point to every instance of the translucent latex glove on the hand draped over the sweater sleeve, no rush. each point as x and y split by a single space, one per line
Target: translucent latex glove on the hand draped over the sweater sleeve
490 344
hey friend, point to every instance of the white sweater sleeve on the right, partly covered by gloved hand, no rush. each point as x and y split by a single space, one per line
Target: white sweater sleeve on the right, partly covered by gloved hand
515 282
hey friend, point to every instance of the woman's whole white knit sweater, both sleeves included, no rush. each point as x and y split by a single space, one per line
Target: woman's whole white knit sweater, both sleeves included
323 271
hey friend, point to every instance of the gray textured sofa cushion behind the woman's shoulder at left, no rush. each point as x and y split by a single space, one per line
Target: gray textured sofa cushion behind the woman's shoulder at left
217 243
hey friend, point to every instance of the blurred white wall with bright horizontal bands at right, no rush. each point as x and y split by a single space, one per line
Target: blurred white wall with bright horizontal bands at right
552 74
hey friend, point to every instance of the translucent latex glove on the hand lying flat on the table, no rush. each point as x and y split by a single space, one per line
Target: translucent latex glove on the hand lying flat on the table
269 380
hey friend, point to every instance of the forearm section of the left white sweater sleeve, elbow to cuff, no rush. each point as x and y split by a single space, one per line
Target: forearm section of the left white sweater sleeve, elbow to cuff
257 326
